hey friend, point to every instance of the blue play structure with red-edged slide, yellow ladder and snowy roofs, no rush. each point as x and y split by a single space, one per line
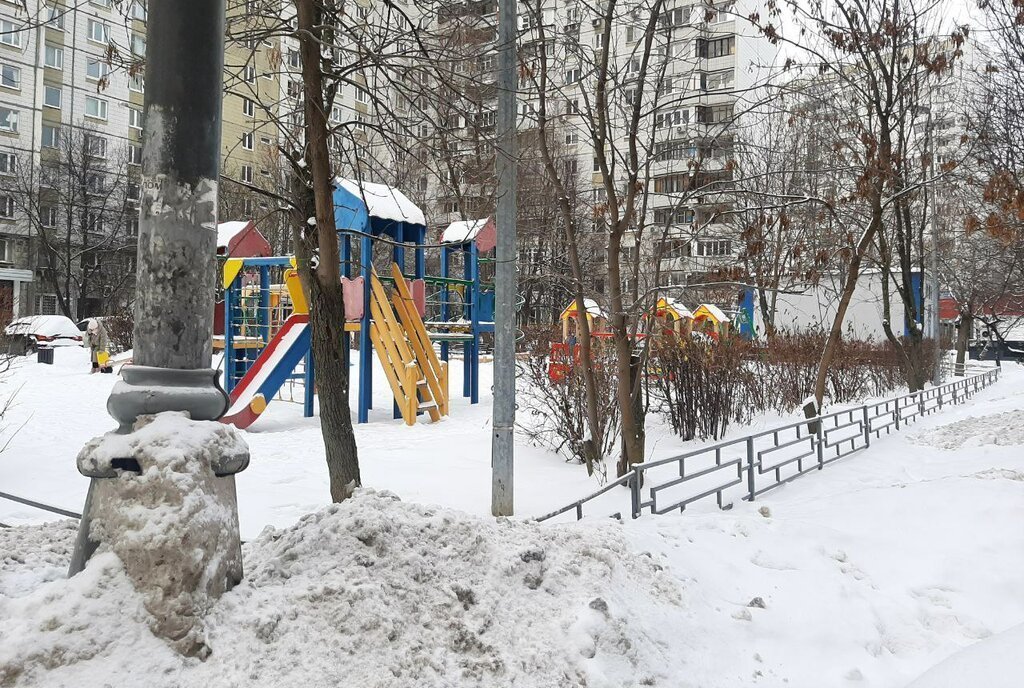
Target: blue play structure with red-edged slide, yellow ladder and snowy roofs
399 315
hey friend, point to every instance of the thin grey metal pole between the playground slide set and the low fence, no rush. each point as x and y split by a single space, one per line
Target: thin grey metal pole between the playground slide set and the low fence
505 287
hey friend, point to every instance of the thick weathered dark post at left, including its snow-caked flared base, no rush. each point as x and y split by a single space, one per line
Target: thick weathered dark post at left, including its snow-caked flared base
177 282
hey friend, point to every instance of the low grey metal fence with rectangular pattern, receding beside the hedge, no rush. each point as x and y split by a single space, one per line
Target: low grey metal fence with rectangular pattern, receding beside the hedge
746 467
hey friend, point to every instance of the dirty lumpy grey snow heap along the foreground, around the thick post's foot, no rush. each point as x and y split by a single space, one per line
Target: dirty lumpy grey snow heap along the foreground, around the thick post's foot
376 592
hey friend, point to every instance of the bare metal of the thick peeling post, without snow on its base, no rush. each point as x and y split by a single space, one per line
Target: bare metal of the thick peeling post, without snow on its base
177 270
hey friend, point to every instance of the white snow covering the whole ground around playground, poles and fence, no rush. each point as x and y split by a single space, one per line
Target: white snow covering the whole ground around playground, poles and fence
894 564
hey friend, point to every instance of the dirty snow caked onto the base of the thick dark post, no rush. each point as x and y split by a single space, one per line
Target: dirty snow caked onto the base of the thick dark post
175 525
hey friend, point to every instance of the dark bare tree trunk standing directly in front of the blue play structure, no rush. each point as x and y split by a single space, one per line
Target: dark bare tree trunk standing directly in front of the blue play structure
327 310
